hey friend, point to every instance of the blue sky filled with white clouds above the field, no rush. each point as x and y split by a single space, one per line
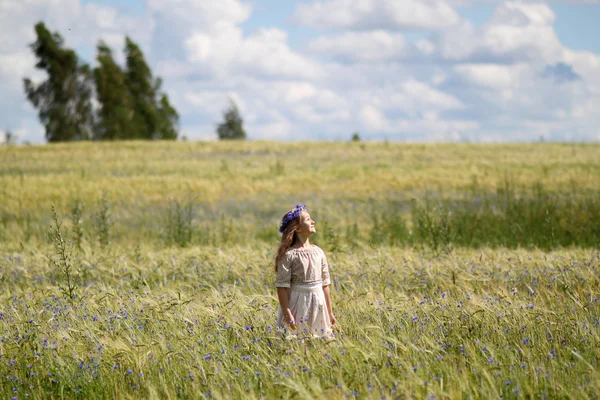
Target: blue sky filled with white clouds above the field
398 70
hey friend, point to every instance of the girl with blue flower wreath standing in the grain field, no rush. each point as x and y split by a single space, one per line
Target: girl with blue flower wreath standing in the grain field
302 278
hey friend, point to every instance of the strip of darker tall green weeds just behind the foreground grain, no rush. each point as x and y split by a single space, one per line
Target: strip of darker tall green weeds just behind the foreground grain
532 218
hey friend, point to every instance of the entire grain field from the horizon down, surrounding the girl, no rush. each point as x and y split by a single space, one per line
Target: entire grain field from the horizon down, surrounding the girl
460 271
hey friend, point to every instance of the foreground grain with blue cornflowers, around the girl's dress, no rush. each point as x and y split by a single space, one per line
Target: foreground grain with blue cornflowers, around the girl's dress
180 324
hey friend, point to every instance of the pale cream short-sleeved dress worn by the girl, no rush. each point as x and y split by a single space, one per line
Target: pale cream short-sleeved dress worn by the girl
305 271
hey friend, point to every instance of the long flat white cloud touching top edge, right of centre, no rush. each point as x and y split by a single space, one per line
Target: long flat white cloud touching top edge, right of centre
377 14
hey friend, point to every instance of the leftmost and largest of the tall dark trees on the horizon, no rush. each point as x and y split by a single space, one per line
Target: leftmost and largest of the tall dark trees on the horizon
64 99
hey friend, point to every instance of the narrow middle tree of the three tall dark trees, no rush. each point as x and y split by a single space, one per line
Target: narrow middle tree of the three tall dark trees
116 106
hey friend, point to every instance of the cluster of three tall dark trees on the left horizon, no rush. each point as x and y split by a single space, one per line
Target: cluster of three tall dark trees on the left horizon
130 102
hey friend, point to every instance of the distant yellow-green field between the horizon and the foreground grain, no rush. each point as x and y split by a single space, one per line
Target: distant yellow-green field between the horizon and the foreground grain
534 196
